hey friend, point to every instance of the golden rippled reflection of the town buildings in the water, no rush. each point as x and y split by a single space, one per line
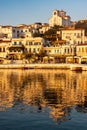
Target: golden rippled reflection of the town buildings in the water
57 90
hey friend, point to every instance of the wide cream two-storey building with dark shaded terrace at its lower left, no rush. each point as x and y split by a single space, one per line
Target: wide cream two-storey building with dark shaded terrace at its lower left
20 46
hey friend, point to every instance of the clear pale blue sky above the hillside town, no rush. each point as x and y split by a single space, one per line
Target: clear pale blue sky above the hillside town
14 12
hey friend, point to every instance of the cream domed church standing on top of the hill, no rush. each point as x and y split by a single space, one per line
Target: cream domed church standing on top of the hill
59 18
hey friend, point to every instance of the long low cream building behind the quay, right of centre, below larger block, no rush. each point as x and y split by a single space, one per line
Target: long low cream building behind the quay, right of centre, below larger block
60 52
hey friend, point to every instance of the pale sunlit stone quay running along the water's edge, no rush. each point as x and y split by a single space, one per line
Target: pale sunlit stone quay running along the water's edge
72 67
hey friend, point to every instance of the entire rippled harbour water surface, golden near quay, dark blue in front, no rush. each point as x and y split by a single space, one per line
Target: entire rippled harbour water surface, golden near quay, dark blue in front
43 99
